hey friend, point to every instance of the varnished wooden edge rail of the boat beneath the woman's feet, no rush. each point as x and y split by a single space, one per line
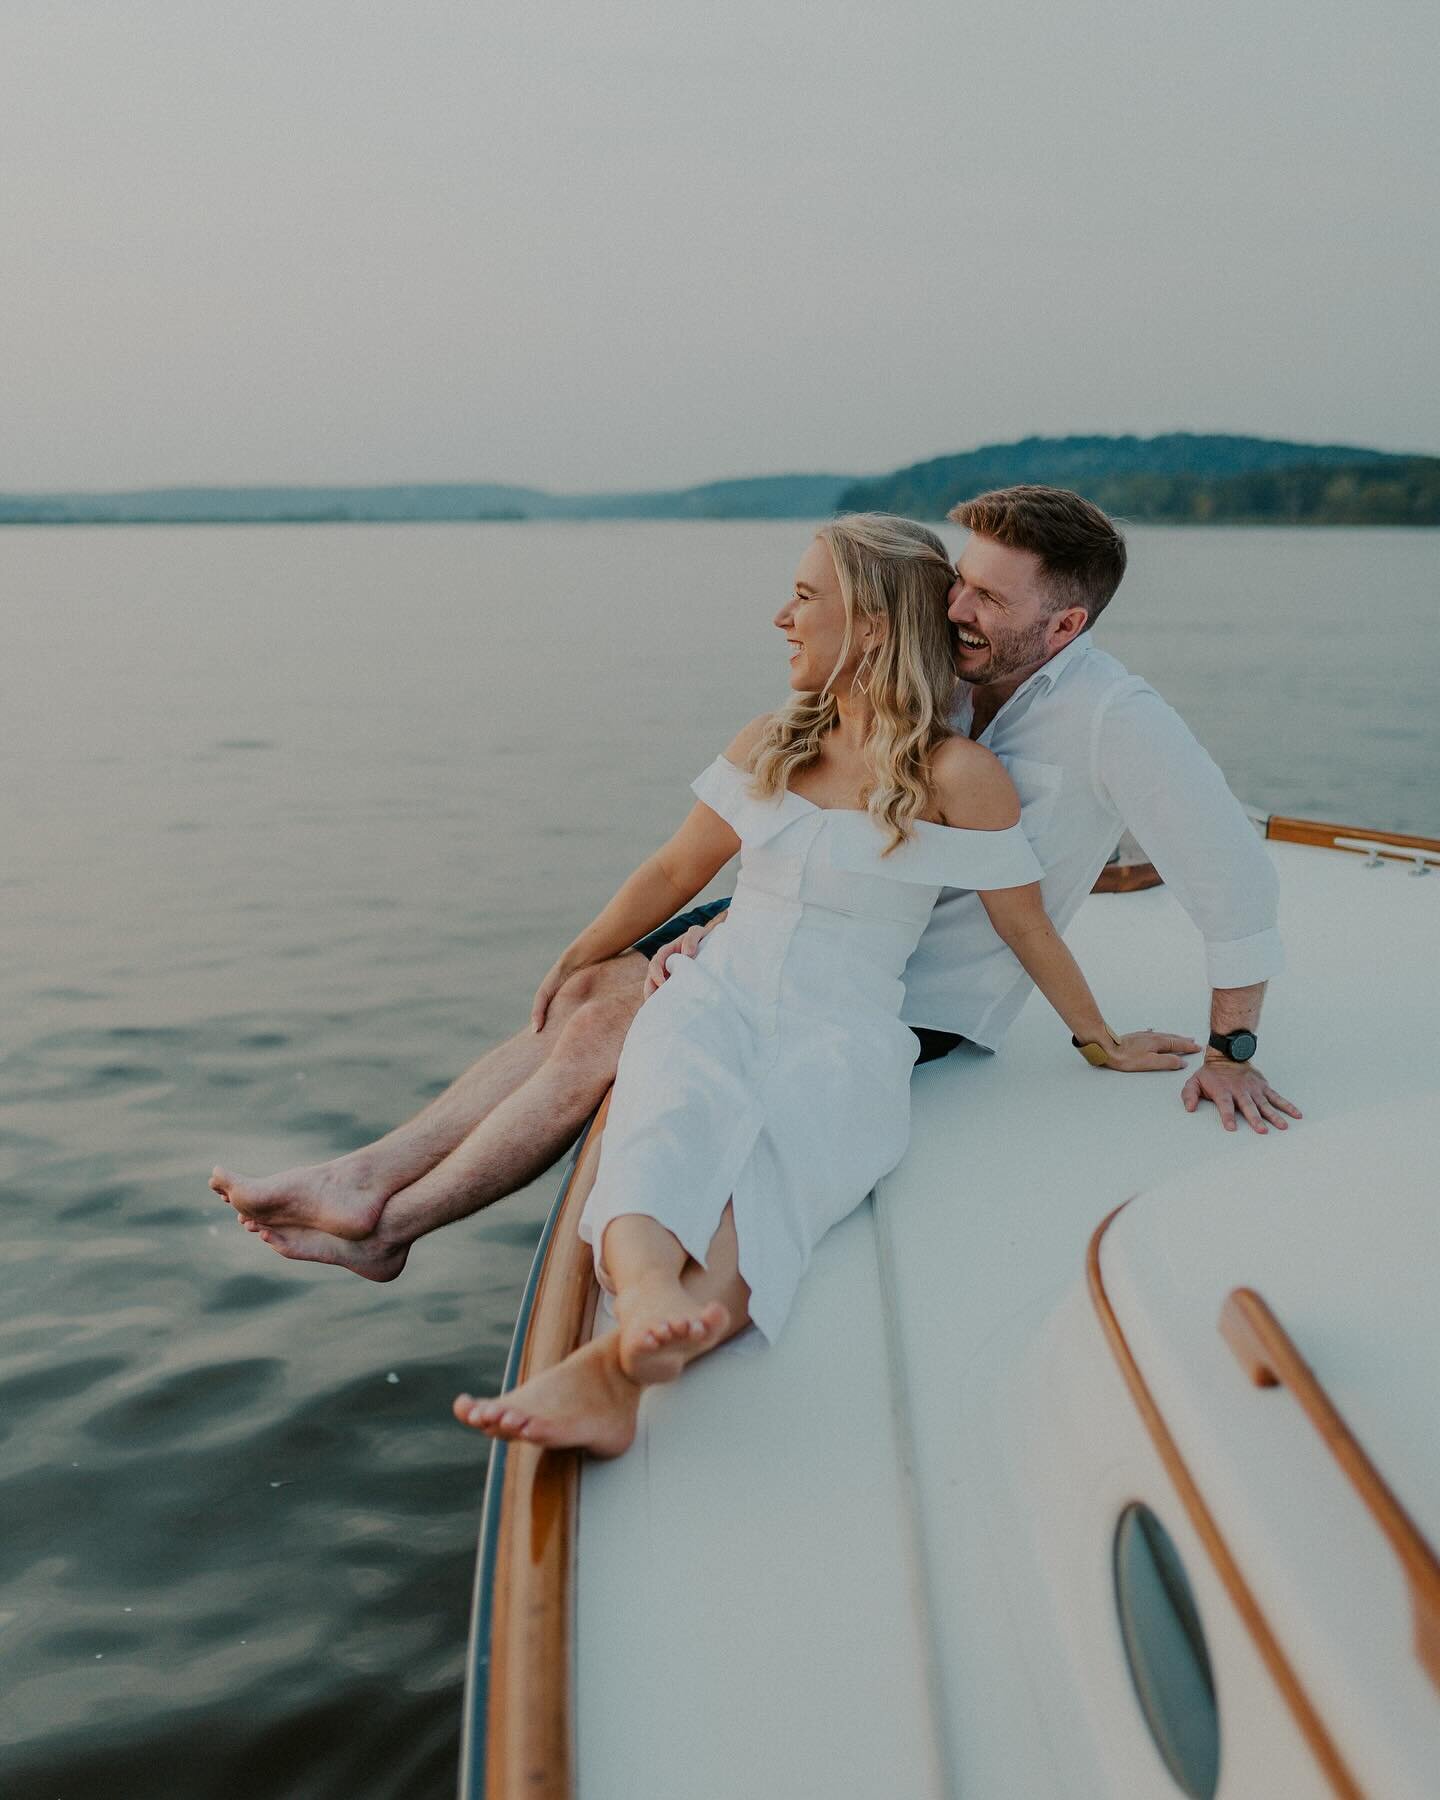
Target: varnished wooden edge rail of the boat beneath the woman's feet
519 1725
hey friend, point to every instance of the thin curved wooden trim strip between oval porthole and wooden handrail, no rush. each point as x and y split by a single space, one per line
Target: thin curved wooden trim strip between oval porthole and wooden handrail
1284 1677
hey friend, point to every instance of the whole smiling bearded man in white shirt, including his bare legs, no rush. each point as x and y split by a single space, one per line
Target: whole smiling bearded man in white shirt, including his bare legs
1092 750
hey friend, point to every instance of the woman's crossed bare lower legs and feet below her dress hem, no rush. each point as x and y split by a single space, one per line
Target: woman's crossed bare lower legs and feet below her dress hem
670 1313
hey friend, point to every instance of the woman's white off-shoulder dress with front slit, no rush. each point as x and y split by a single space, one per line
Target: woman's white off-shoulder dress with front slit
773 1070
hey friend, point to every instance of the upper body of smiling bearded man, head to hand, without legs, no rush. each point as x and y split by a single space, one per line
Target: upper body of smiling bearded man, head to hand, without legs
1093 751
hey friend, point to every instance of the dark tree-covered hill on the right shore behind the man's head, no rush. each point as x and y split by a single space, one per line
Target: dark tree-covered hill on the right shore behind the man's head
1178 478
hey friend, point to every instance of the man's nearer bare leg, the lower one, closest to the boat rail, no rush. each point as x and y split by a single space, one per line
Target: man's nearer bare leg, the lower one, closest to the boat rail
517 1140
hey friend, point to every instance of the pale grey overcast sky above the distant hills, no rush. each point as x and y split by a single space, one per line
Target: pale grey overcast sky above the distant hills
616 244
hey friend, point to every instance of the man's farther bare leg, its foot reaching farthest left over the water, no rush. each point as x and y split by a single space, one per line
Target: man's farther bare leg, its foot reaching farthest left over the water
348 1194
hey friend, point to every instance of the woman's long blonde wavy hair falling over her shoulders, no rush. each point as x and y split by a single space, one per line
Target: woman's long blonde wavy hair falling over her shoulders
897 575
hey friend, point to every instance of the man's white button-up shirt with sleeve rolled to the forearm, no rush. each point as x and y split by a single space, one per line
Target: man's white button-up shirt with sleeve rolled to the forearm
1093 751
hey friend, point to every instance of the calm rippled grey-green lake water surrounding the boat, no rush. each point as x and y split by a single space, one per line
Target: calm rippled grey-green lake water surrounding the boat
292 822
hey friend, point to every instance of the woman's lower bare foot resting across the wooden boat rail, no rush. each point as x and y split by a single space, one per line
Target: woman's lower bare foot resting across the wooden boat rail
584 1403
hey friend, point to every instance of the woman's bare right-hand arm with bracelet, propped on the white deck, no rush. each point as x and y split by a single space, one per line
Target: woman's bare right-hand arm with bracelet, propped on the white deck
976 793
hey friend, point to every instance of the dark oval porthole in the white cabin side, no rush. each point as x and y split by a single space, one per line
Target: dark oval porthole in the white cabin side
1167 1653
